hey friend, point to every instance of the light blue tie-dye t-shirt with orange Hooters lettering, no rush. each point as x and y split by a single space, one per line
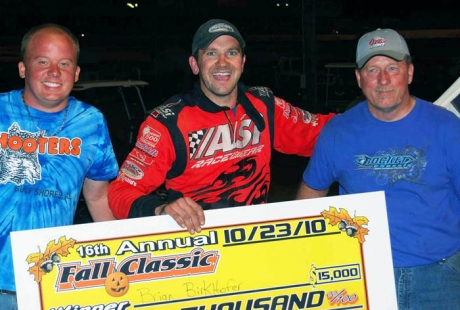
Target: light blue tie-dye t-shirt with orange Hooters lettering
41 176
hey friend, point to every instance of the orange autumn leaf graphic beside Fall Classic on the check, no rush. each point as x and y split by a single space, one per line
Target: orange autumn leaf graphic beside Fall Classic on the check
44 261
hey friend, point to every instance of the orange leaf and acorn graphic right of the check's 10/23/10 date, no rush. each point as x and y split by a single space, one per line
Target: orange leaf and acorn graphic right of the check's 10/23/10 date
352 226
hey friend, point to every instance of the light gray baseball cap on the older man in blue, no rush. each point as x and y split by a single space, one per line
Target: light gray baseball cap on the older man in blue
381 42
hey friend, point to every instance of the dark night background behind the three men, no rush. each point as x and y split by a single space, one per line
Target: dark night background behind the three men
286 40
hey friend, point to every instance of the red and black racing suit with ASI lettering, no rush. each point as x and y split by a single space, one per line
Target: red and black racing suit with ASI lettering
217 156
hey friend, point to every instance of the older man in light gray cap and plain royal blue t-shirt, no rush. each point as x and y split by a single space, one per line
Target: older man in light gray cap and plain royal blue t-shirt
409 148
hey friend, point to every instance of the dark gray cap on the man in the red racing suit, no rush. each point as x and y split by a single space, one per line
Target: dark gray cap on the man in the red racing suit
212 29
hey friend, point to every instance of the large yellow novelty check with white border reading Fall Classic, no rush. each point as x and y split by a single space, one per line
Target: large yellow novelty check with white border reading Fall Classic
325 253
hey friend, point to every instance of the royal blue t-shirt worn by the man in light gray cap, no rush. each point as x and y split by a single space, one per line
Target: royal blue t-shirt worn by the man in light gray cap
415 160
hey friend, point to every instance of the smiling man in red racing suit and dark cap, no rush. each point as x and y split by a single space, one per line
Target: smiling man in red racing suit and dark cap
211 147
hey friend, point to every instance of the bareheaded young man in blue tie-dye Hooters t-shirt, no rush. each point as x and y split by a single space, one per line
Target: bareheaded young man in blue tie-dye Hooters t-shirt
52 147
